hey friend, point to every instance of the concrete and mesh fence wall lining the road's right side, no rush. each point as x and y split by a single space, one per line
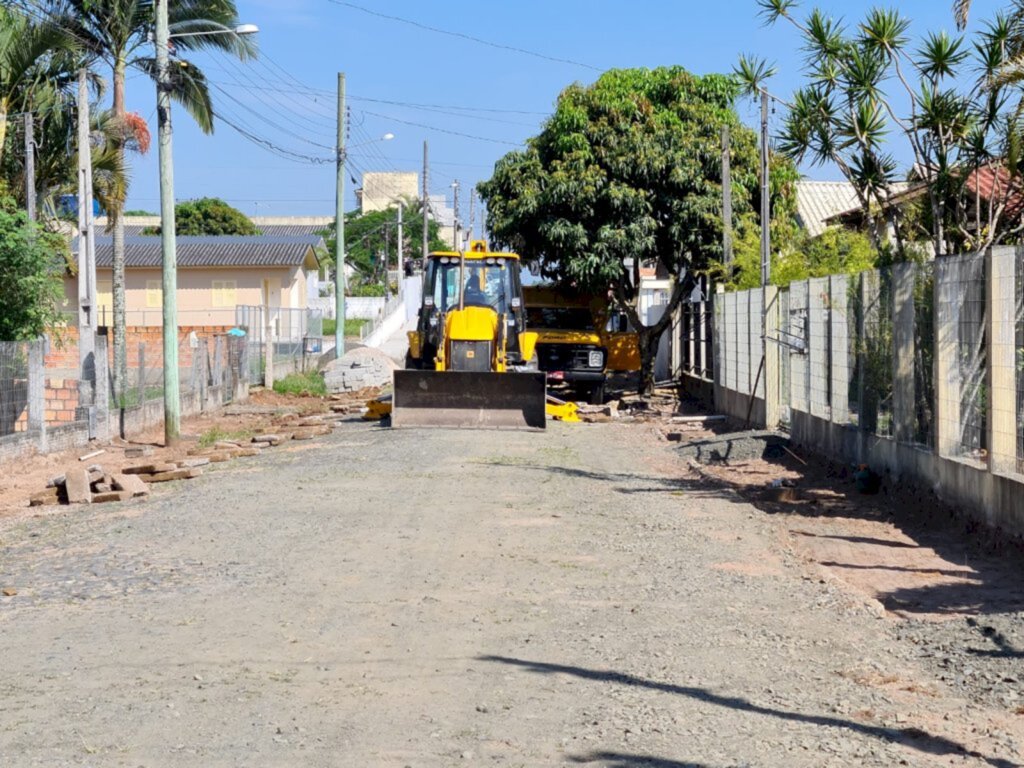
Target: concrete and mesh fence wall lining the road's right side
850 376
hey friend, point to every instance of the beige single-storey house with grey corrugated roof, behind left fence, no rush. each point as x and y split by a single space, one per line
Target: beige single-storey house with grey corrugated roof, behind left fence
216 276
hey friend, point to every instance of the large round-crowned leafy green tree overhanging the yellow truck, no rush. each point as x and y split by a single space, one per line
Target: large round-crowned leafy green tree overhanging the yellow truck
627 174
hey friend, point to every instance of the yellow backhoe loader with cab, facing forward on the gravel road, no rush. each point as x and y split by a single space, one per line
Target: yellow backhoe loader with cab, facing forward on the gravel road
472 361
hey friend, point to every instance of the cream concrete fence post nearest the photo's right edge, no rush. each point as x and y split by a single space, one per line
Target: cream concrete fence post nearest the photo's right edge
1001 314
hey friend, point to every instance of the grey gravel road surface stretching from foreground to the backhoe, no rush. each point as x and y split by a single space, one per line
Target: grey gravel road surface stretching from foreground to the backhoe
441 599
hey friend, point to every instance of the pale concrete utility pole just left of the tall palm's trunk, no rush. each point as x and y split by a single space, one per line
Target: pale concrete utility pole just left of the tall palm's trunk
87 250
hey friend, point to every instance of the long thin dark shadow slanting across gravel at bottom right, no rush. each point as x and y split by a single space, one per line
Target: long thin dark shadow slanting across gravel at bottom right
911 738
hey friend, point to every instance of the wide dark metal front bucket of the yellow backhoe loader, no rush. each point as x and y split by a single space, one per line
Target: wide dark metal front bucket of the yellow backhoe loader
468 400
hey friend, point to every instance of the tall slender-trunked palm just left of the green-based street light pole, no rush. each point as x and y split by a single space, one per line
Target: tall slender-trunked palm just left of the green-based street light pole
117 32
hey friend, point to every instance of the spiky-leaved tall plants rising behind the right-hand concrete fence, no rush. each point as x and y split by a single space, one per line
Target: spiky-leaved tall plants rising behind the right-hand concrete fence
955 103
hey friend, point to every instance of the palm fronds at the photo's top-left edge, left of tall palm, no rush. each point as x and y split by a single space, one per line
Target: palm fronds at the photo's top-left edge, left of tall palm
31 57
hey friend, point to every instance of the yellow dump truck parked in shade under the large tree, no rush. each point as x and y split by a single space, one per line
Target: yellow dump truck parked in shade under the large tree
580 340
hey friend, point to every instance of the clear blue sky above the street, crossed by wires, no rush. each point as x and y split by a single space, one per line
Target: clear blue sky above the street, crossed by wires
287 97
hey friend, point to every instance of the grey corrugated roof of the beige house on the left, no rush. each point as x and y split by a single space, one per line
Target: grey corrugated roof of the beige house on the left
281 251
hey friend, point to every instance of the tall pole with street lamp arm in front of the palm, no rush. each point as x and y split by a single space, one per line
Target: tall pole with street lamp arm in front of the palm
168 243
